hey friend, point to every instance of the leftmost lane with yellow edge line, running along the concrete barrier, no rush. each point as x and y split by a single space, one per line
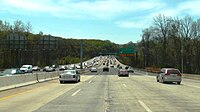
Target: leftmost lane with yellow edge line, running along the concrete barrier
29 98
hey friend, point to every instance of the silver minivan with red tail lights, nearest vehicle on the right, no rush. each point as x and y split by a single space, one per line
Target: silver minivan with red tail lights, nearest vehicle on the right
169 75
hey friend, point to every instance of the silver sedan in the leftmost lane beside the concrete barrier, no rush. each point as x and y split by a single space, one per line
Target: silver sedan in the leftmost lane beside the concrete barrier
69 75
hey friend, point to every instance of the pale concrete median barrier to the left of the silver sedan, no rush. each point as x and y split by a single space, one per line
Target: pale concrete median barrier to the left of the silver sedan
8 82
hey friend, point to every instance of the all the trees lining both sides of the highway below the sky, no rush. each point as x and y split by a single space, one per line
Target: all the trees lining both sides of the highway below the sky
168 42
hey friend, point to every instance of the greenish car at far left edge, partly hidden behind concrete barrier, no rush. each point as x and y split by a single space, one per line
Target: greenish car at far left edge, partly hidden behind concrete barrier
10 72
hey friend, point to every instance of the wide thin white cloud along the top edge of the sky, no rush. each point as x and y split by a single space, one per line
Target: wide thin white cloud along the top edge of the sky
98 9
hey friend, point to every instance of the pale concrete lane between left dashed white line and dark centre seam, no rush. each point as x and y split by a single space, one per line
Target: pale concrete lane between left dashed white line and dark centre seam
90 98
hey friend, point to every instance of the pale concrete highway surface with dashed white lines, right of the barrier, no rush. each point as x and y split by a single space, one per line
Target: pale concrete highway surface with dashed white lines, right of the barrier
104 92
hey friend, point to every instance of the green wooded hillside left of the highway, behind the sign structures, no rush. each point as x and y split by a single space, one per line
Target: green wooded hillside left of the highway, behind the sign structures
20 46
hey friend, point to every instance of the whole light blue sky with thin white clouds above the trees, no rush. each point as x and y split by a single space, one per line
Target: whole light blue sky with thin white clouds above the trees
119 21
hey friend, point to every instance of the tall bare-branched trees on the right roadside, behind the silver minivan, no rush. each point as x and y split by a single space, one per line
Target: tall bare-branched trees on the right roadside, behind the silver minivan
171 42
